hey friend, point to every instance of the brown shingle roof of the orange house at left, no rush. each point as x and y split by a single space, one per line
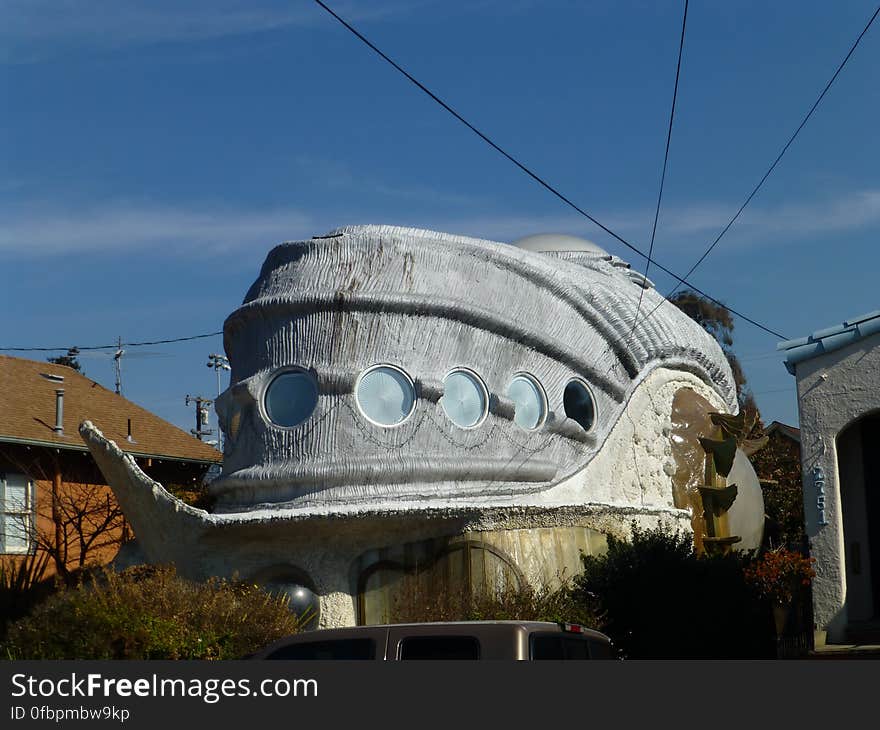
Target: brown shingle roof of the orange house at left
27 414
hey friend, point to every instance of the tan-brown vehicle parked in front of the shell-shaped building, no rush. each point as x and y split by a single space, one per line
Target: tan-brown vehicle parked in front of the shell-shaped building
523 640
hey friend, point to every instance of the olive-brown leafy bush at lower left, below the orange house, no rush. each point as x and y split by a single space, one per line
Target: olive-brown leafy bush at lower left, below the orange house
150 612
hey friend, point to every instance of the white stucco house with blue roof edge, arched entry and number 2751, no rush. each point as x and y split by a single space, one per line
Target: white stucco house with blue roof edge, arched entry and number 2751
838 385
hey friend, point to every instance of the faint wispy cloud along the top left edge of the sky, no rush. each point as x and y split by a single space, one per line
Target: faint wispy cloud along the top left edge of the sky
33 29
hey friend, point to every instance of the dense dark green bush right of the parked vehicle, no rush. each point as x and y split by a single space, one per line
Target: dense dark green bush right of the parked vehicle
660 599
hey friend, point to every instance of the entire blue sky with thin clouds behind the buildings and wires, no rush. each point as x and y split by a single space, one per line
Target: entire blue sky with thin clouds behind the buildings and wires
151 153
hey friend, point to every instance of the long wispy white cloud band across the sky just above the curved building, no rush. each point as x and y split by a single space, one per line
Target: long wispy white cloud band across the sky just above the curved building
172 231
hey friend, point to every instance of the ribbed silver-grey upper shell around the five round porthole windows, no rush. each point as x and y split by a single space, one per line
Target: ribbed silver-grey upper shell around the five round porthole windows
428 303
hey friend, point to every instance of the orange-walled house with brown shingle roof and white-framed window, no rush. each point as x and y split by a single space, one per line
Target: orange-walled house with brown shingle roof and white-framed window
53 497
